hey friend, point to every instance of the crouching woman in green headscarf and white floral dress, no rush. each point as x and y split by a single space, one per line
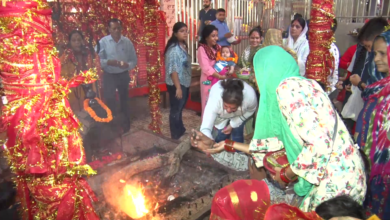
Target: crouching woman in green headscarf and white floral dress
295 114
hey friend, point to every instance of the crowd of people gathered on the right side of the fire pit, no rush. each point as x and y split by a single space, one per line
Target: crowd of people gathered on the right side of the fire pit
306 157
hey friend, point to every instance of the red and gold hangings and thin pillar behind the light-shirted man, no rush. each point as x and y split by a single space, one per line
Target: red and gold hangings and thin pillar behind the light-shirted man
143 23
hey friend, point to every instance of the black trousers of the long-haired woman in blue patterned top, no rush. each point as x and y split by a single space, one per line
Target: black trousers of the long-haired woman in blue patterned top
175 115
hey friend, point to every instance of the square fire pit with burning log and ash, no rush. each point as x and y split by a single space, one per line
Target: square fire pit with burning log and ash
160 179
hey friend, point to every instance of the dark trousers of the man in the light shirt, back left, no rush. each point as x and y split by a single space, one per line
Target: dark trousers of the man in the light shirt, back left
120 82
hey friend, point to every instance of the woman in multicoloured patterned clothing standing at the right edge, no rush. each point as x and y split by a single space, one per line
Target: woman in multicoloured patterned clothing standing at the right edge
376 121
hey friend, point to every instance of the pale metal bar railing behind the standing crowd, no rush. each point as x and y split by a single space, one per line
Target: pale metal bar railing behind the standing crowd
243 15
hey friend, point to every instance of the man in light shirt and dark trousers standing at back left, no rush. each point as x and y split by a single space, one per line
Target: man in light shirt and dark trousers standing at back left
117 58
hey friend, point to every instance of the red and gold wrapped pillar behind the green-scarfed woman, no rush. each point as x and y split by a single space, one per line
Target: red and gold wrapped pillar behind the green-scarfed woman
320 61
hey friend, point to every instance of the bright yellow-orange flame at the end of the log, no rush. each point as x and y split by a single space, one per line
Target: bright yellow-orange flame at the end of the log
133 201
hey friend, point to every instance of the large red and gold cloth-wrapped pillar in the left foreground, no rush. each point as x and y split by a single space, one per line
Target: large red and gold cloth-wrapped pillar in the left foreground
44 147
